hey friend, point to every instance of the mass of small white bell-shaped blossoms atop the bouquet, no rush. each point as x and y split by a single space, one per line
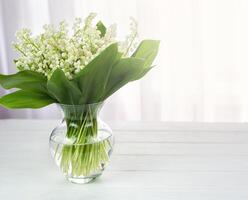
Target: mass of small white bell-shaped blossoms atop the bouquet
71 52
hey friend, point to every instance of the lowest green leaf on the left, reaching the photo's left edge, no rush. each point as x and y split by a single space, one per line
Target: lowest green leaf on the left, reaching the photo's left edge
25 99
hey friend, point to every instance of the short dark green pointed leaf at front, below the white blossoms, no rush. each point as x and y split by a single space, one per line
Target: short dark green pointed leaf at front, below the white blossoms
62 89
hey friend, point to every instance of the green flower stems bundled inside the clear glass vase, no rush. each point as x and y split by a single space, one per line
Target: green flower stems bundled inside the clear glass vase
88 154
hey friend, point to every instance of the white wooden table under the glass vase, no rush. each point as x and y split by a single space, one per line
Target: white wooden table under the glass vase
175 161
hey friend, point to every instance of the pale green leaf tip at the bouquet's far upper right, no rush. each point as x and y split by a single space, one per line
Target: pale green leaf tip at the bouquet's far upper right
147 50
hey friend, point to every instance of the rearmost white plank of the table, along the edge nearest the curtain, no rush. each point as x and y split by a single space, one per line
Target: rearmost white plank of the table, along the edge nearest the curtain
31 125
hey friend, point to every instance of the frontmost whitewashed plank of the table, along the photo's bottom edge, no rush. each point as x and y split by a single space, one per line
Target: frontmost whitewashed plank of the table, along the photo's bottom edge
93 191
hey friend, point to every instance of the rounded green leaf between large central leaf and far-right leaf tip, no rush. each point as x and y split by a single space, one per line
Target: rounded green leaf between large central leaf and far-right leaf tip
126 70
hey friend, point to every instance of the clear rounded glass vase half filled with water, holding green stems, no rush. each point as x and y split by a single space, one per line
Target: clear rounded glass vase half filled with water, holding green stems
82 144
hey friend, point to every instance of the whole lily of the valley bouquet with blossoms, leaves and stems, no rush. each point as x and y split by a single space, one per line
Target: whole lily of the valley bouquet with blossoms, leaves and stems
82 66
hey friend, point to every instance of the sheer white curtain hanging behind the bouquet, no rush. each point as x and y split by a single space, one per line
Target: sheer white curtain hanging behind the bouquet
202 66
